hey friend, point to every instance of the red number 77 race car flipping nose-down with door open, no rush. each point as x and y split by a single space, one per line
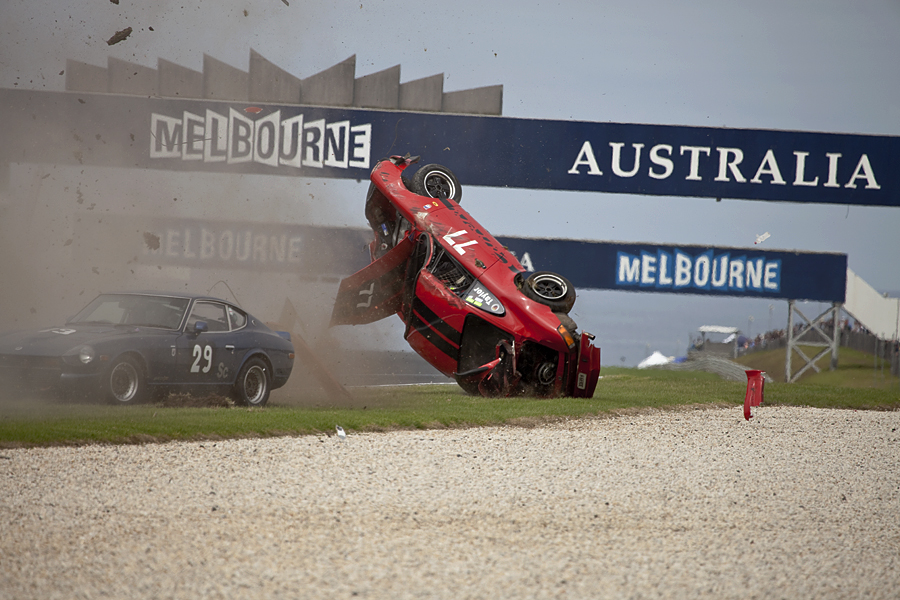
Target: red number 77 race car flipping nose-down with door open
468 307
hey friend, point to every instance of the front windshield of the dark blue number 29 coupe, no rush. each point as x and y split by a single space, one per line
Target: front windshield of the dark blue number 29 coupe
132 309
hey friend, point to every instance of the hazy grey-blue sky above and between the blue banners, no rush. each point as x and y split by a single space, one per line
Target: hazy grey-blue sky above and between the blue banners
787 64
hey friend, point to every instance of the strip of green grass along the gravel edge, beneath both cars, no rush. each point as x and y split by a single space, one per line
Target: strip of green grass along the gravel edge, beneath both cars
36 423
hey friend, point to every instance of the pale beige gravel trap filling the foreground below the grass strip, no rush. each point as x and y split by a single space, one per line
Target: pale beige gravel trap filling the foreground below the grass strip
796 503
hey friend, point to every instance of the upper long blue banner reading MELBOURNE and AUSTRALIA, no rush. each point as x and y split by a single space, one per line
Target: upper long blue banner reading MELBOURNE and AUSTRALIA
669 160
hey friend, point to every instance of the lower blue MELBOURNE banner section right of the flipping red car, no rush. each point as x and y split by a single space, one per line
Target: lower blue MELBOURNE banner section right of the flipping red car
717 271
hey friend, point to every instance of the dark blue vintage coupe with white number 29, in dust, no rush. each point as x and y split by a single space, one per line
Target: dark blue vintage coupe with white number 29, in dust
131 347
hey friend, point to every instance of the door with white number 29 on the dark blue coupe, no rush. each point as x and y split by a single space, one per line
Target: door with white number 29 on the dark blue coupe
203 356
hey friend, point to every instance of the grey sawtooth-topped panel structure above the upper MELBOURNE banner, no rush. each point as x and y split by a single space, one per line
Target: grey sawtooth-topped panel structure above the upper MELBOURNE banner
267 82
